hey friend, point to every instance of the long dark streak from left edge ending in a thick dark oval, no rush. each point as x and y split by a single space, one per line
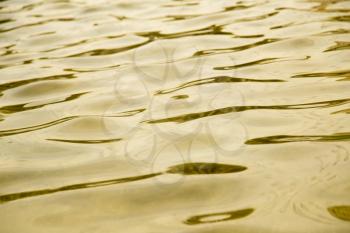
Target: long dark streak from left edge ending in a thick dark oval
182 169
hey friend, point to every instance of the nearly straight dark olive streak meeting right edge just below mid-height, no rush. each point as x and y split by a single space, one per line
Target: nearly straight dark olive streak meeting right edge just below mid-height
300 138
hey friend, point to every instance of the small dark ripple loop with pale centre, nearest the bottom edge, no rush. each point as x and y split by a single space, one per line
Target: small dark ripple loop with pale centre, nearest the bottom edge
225 216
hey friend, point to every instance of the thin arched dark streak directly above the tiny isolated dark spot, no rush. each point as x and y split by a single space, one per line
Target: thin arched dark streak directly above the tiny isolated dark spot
213 80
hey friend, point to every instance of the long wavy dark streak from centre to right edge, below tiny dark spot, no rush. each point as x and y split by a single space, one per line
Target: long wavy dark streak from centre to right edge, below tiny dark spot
220 111
